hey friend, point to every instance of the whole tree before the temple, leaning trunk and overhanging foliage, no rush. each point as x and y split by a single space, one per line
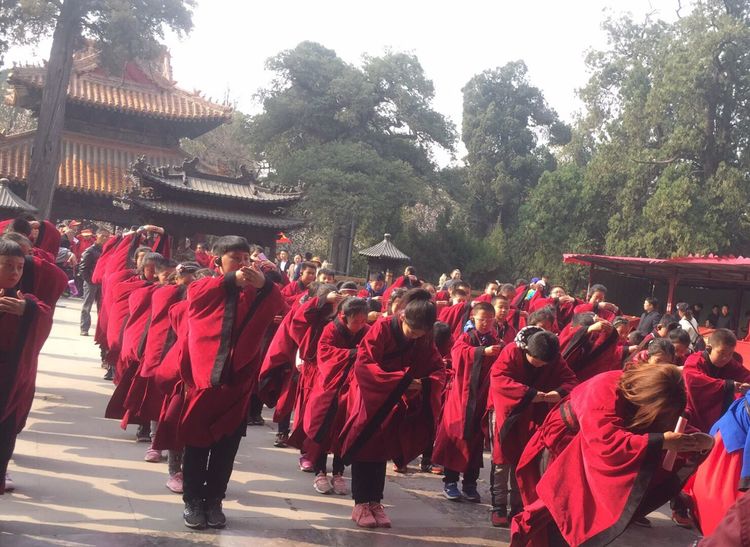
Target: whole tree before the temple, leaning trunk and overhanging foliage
123 29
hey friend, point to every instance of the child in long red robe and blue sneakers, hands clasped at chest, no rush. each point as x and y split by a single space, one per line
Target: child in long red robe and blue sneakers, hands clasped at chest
459 441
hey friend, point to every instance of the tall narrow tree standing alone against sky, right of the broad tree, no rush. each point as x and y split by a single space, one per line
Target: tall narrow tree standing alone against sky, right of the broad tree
504 115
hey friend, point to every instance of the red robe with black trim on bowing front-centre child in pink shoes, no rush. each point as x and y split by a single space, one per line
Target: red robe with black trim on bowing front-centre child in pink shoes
385 421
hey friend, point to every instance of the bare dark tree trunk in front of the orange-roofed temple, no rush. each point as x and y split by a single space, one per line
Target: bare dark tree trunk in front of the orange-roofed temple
45 156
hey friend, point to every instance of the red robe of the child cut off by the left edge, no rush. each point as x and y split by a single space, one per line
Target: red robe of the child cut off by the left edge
21 340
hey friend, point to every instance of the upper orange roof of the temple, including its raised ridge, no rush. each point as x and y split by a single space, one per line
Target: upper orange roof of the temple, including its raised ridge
141 90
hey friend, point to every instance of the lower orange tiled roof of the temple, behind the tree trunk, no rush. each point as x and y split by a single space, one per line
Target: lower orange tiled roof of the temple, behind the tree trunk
88 164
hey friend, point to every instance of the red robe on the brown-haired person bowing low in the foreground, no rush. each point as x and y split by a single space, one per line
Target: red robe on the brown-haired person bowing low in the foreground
603 477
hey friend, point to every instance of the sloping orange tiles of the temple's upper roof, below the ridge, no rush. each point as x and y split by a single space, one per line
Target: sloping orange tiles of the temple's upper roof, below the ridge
96 89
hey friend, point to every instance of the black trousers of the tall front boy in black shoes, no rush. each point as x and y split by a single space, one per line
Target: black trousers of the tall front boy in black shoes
206 469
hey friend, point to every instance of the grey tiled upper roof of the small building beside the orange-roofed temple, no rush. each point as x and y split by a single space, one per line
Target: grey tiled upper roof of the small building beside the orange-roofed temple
188 179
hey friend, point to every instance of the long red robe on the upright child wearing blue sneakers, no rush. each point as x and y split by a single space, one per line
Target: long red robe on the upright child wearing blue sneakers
459 441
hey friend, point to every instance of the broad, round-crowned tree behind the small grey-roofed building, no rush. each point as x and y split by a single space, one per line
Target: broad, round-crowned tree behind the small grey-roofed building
359 138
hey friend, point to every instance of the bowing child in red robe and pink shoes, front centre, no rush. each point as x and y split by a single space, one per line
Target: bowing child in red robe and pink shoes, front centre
394 401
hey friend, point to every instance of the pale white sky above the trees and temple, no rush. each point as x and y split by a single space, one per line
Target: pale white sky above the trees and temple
226 52
